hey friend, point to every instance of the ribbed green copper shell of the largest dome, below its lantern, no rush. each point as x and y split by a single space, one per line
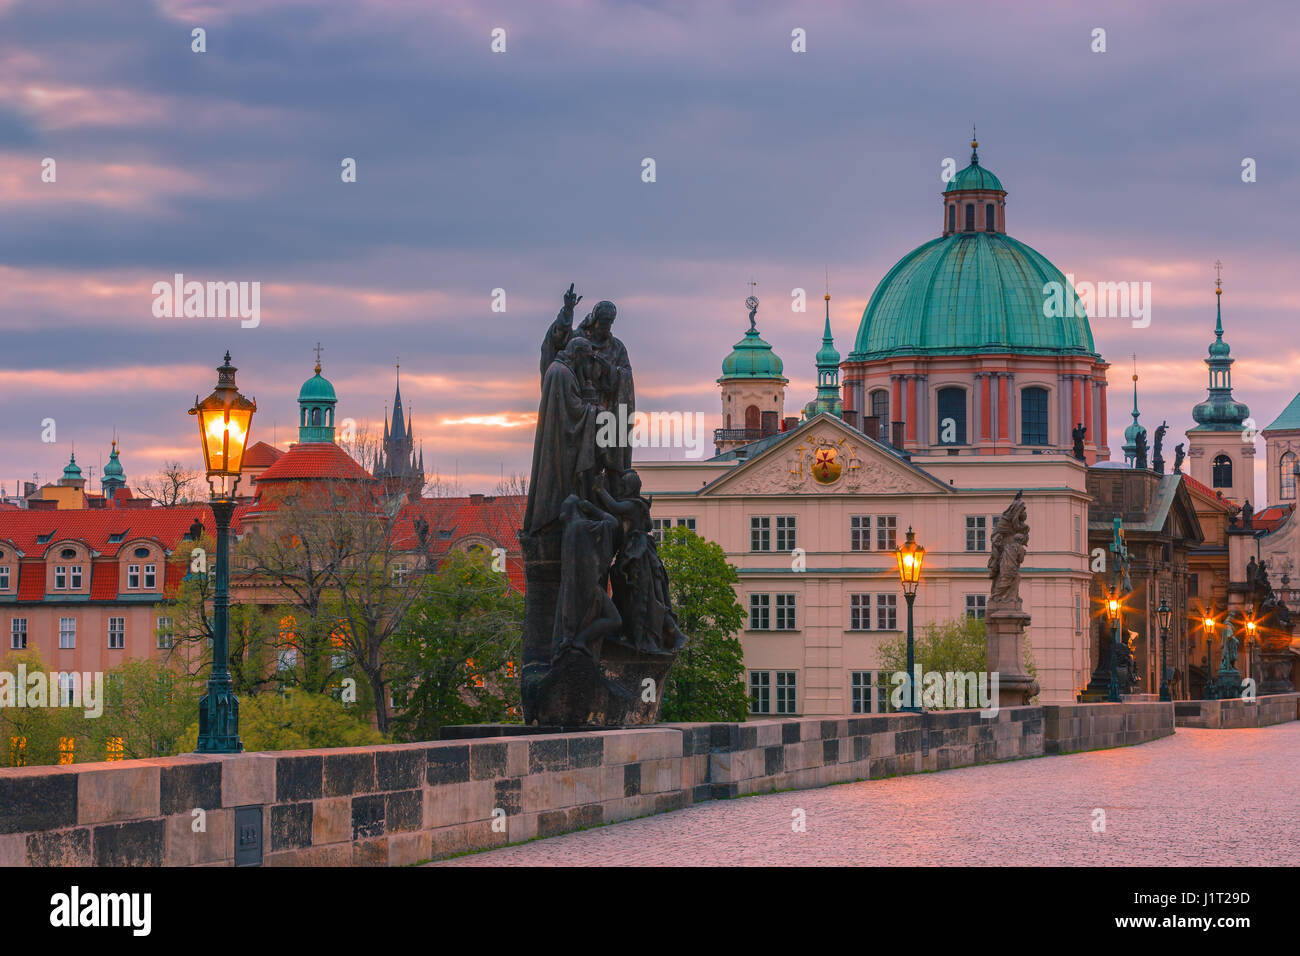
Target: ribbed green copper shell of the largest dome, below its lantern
973 293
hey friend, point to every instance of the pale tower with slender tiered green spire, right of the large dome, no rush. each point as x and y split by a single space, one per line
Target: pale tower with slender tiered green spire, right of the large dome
1217 449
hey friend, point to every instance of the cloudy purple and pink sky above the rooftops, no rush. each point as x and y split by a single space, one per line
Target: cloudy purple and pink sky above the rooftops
522 171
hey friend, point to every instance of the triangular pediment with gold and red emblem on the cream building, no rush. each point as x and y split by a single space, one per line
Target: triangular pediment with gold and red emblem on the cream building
826 457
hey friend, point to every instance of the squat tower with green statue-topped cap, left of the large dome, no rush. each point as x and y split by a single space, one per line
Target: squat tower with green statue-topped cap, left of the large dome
753 390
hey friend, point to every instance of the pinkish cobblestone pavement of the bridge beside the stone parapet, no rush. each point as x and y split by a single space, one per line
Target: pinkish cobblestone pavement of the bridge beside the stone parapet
1202 797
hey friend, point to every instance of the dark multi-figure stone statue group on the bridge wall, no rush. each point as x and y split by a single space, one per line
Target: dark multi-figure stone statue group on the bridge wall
591 659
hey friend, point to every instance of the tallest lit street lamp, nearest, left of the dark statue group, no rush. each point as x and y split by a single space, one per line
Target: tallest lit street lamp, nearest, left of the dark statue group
224 422
